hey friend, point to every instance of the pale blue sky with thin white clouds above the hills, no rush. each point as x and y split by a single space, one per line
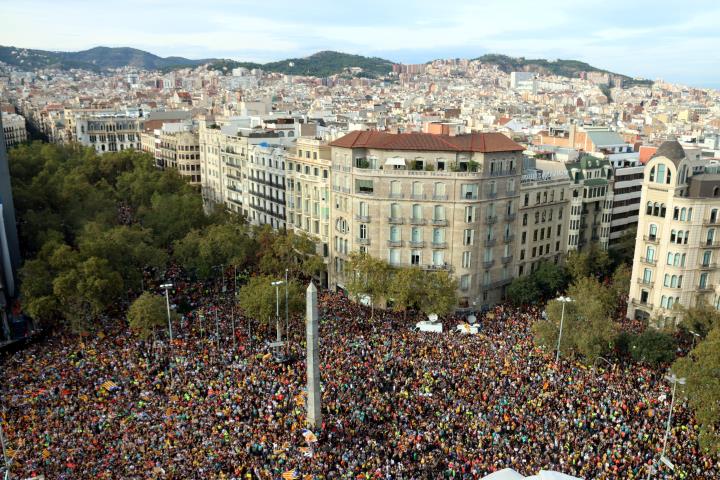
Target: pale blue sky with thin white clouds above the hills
675 40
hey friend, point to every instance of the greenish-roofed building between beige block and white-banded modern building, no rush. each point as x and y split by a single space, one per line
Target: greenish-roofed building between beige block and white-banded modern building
591 199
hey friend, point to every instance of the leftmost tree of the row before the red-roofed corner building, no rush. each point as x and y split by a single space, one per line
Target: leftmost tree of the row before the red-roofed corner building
367 276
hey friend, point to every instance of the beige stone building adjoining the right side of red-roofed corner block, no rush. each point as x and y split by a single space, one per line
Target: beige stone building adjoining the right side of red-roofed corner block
543 216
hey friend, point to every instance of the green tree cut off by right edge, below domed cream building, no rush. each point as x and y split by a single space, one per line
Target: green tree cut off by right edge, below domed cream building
701 369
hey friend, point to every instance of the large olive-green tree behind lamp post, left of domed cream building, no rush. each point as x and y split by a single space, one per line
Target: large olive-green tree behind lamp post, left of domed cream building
588 329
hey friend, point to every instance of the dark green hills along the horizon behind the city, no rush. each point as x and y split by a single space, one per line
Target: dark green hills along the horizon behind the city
321 64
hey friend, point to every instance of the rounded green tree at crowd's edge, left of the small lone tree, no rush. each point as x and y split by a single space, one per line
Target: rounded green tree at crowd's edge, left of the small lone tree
85 291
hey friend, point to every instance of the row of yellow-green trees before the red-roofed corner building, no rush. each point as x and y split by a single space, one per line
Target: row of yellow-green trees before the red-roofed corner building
404 287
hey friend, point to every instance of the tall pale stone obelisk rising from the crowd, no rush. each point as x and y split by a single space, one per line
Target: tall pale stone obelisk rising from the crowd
314 415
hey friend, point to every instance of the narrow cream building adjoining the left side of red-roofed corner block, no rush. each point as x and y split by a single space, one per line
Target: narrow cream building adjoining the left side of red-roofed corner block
308 190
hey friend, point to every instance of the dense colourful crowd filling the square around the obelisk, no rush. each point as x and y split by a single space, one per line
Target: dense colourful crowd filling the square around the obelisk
397 404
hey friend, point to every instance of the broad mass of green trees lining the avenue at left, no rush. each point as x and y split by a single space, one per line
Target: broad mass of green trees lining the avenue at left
92 227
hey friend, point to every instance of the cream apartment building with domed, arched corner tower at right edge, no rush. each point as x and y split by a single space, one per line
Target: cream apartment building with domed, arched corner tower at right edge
678 241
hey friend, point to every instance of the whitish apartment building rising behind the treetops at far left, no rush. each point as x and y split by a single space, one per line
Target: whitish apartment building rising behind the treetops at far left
109 131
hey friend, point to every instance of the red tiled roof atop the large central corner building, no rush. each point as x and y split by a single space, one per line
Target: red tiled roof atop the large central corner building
474 142
